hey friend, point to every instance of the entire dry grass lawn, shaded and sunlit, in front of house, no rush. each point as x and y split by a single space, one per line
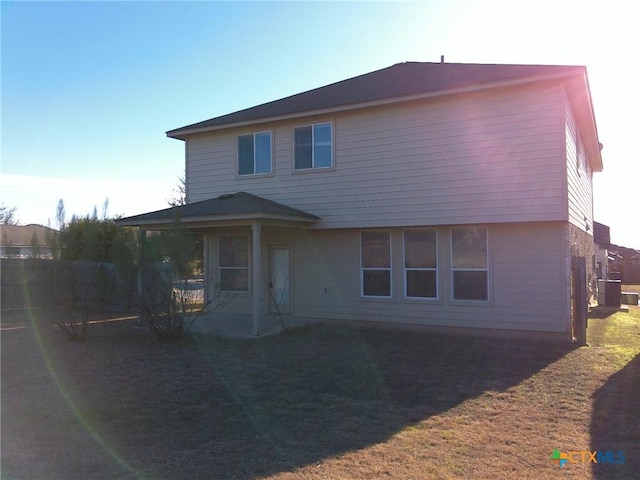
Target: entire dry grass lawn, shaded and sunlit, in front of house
320 403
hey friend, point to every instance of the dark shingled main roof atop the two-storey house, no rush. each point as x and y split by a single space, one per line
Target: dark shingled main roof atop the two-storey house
398 82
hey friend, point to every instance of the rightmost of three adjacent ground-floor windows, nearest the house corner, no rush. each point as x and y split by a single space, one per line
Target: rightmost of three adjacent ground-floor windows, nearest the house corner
469 263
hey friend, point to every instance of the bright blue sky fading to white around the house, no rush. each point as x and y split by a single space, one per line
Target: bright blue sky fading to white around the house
89 88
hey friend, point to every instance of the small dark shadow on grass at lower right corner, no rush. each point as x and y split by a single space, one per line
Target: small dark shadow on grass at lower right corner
615 424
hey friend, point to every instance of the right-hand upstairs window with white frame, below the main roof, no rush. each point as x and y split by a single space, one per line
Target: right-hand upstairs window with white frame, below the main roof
313 146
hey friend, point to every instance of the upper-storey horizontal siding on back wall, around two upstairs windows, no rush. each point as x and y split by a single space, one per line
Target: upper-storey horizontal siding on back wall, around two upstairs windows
478 158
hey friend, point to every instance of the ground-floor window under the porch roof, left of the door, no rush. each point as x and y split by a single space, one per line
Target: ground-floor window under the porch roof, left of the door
233 263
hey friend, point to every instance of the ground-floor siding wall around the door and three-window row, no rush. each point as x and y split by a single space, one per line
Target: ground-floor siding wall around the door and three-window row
526 279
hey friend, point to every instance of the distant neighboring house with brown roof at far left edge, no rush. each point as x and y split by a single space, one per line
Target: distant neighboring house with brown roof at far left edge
28 241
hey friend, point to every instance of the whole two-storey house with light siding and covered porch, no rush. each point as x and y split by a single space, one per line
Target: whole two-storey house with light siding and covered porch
429 194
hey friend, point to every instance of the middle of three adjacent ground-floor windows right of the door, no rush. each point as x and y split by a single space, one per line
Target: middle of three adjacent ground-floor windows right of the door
421 263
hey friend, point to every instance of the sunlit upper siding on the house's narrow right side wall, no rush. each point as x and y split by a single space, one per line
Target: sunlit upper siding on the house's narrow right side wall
579 175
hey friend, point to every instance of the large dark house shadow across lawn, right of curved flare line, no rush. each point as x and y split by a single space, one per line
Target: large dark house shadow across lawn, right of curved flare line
218 408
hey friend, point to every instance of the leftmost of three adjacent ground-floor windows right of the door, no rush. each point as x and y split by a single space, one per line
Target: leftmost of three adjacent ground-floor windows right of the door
375 264
